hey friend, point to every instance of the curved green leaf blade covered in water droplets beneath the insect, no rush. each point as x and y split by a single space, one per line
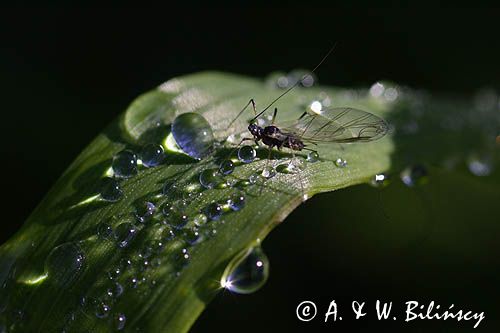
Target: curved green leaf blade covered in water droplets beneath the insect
43 293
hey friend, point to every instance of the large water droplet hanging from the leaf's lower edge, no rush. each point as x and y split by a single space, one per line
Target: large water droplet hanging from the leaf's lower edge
247 273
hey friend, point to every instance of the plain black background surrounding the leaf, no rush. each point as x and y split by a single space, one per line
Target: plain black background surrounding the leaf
65 73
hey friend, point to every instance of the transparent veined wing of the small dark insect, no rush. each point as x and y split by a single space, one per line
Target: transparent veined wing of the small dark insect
341 125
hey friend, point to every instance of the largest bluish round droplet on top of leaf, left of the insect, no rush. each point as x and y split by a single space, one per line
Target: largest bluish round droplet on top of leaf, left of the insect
193 134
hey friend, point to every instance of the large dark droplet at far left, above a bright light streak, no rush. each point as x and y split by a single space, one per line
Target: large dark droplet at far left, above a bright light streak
64 263
